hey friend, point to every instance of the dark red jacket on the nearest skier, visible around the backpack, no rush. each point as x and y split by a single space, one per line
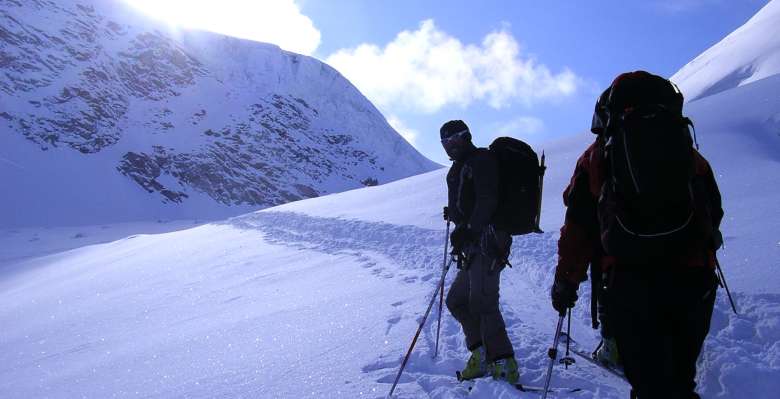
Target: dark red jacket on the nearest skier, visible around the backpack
580 245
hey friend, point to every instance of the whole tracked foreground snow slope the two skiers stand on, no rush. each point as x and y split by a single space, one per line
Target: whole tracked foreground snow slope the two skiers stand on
320 298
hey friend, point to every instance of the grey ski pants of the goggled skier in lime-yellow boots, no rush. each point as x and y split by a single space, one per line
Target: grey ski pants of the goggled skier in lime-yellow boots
473 301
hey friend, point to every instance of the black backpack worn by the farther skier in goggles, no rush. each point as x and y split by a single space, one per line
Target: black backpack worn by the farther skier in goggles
520 186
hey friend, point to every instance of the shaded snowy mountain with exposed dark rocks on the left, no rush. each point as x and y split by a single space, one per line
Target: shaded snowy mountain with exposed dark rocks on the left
109 116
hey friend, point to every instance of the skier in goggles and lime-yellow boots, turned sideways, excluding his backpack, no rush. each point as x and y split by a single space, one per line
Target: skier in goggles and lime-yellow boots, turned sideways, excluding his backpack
483 251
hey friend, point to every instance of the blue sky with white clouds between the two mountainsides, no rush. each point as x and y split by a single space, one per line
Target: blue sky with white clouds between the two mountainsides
530 69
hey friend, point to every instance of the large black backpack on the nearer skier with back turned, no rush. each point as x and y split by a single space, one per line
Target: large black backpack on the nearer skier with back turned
648 207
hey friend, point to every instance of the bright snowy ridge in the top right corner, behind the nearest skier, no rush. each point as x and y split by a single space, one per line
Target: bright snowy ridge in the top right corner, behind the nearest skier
748 54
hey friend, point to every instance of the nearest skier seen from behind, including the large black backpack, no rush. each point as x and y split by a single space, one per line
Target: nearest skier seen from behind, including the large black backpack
626 190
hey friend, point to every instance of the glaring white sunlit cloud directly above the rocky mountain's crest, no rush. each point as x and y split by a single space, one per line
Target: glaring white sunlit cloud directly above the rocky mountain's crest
273 21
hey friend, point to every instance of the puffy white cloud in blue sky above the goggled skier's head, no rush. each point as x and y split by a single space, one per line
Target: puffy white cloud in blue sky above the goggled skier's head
428 69
